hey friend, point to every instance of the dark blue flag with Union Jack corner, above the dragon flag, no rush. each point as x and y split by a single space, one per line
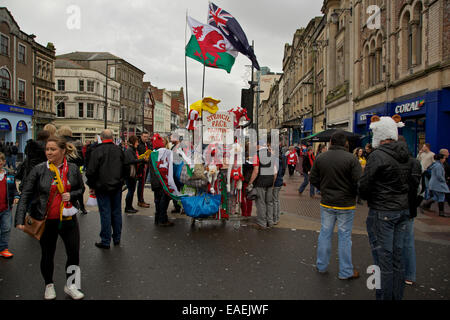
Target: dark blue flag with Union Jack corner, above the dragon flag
231 29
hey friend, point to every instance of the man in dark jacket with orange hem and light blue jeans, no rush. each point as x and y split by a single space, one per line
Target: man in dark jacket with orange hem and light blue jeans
336 173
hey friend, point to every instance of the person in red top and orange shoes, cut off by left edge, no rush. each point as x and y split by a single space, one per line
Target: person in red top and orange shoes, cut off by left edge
8 196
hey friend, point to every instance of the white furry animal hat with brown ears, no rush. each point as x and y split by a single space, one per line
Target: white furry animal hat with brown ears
385 128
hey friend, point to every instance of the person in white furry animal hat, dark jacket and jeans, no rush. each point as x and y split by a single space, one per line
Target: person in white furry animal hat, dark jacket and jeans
385 186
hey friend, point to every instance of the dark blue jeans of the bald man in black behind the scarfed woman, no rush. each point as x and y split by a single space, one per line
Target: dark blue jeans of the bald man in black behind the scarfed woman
110 207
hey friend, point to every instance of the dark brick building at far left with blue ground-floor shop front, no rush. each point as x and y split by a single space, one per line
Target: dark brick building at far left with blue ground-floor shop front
26 82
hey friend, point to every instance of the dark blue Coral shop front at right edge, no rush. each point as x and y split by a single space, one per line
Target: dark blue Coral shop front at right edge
426 117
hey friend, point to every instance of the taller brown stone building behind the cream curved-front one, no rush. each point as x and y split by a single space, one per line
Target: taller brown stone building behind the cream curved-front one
131 84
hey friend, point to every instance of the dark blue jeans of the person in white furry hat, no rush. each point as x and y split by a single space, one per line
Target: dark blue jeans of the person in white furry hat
386 230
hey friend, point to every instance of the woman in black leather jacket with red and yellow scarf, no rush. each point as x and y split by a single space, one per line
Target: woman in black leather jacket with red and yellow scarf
50 188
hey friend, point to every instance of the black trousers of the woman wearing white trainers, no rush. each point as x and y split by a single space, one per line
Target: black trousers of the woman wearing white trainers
70 234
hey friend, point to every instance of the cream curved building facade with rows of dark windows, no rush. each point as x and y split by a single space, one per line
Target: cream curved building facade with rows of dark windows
80 96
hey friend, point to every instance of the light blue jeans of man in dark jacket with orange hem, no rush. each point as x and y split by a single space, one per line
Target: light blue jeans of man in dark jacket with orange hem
344 219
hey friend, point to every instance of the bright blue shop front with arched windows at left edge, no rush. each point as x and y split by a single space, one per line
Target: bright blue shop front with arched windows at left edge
15 125
